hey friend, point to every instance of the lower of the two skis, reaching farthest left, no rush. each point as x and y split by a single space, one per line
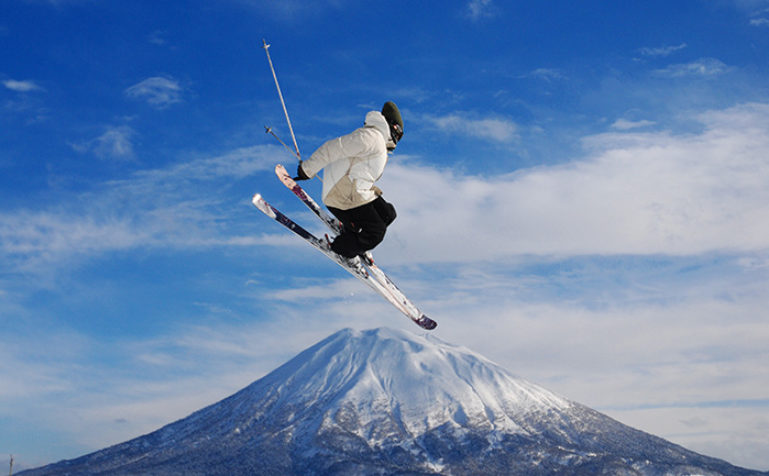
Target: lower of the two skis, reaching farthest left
354 266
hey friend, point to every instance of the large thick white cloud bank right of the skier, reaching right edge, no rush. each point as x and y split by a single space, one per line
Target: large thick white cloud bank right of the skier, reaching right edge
633 193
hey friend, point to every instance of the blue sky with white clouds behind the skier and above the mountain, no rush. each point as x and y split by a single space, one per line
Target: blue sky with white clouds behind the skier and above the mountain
581 193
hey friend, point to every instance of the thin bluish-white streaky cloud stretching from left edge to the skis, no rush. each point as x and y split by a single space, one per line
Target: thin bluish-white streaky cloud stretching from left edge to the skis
169 207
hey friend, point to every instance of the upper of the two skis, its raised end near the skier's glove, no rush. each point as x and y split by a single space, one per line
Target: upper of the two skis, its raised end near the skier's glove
335 226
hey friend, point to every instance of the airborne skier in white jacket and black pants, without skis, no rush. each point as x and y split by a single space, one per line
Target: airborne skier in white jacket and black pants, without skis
353 163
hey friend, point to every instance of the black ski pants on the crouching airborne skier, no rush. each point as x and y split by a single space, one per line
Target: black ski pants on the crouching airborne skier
364 227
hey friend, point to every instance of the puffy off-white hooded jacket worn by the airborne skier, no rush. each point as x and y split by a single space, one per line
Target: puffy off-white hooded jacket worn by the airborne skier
352 164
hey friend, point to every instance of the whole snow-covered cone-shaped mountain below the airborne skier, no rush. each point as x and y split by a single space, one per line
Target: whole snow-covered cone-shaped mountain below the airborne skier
389 402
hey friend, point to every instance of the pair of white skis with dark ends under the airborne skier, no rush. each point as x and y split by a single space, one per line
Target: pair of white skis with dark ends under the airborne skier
364 269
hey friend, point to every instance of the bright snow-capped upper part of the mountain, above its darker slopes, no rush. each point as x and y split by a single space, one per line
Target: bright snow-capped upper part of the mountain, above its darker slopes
423 380
